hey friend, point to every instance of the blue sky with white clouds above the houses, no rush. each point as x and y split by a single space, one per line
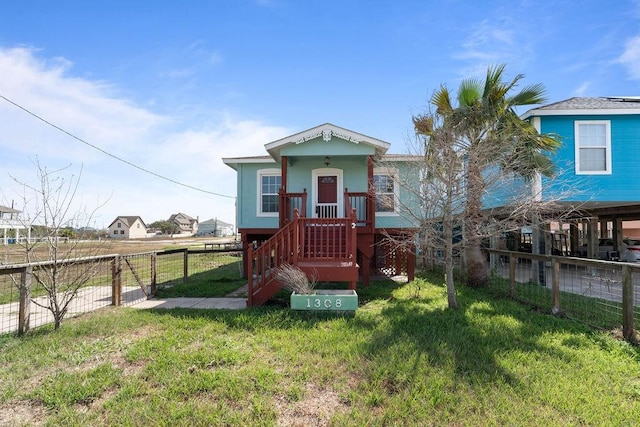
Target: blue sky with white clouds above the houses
173 87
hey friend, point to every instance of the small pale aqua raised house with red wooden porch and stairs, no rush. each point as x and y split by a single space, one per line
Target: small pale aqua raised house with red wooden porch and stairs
327 200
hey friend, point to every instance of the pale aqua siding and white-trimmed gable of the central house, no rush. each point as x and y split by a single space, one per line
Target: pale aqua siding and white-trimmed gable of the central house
326 150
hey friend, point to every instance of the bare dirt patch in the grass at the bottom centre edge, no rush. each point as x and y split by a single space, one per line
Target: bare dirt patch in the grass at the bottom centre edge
315 409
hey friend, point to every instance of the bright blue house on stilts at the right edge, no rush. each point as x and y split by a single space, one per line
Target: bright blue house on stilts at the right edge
598 164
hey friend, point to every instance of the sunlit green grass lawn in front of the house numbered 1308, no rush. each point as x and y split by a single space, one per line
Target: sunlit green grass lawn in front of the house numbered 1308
403 359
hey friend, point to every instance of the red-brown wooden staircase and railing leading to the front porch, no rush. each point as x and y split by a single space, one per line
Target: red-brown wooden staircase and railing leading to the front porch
324 248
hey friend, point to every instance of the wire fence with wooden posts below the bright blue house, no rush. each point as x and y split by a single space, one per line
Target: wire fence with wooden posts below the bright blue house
604 294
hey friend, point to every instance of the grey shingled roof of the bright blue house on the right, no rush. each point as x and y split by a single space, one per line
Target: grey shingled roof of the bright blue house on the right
588 106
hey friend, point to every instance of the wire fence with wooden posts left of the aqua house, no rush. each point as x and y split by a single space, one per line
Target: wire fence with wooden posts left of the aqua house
118 280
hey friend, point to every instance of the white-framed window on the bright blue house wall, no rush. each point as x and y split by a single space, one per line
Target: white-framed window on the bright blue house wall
593 147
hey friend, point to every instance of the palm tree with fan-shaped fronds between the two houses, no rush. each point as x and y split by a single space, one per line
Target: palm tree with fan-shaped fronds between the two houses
490 134
